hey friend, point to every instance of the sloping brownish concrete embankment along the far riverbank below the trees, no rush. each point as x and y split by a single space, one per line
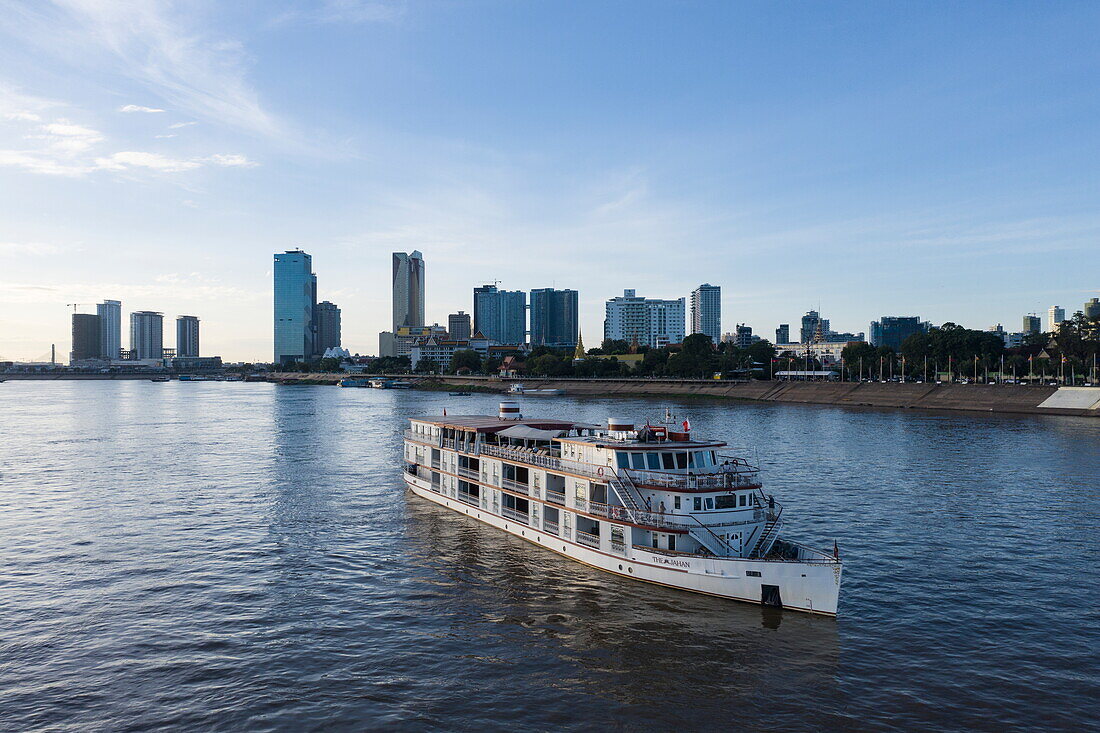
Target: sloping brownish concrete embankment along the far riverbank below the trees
972 398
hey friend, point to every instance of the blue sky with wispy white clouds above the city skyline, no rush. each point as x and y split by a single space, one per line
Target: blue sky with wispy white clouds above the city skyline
871 159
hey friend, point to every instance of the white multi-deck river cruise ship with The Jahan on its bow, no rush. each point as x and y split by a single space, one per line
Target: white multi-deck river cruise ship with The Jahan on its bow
647 502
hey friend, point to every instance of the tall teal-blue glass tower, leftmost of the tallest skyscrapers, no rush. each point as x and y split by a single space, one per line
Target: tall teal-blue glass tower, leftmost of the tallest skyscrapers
295 301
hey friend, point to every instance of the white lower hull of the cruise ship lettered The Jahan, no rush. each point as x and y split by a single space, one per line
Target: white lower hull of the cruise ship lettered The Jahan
809 587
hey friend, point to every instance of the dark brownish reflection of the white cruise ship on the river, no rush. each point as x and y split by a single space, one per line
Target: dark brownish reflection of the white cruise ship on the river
643 649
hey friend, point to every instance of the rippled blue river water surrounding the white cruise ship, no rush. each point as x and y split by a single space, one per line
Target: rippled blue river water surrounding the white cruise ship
245 556
